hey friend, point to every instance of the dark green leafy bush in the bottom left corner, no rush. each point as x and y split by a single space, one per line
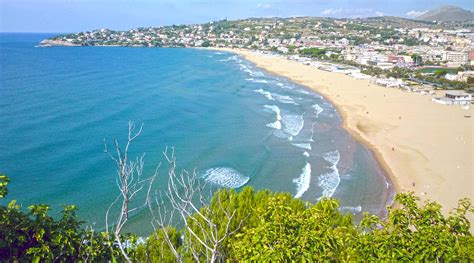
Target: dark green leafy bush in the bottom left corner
34 235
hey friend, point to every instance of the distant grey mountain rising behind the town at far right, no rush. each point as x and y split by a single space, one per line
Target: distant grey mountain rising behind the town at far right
447 13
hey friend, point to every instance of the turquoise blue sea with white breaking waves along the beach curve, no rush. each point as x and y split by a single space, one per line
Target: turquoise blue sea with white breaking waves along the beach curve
236 124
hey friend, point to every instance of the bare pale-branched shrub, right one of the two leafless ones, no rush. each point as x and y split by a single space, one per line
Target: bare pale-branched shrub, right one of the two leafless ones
204 230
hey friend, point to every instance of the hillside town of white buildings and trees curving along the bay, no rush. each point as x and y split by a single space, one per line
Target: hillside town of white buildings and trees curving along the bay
398 52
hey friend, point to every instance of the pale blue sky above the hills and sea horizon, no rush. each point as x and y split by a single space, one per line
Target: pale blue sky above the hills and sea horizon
80 15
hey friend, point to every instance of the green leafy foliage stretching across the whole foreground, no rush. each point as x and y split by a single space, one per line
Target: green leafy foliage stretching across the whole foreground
269 227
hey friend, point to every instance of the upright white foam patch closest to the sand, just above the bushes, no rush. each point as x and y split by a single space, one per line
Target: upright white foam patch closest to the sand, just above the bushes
330 181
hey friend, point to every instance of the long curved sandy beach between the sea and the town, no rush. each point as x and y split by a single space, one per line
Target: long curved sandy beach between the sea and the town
425 147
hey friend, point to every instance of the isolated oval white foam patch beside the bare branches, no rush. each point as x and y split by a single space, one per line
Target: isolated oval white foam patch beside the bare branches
226 177
